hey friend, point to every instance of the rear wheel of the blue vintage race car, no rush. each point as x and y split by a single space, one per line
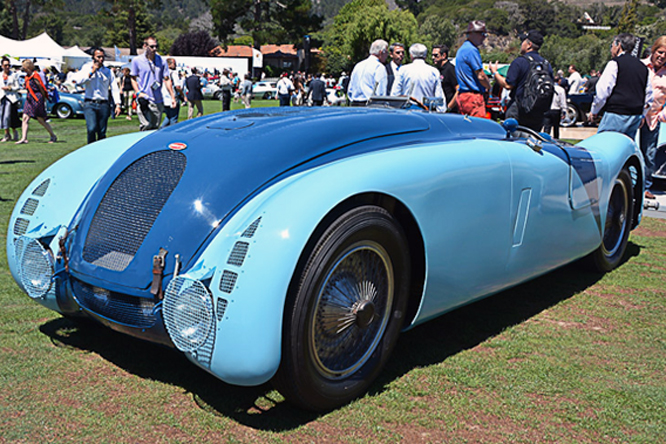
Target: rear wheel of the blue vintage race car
618 225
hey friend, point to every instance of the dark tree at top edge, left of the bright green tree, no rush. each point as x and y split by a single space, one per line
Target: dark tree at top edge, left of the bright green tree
285 21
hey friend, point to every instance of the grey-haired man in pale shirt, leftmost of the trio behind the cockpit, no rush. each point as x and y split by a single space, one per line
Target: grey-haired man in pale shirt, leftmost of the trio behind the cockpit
369 76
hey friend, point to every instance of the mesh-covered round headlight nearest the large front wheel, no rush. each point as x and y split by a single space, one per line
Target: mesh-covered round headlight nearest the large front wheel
188 313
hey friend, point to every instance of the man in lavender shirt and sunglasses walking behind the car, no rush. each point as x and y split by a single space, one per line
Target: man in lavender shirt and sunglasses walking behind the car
148 73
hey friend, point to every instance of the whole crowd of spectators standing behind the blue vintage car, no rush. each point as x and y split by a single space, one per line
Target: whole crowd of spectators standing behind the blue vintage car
630 92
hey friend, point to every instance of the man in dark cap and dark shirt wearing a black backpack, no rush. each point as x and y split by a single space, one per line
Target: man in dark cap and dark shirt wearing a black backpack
530 81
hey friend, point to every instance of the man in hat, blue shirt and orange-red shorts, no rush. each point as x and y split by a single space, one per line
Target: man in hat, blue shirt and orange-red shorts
472 80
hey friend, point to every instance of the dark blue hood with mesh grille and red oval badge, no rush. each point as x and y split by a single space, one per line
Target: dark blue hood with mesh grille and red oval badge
174 188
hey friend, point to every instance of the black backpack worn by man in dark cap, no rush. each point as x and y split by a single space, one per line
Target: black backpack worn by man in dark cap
539 87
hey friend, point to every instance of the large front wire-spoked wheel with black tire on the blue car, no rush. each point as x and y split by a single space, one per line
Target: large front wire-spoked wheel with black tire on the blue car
345 310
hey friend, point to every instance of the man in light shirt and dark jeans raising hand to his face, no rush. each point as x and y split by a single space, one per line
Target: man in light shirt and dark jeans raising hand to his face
98 81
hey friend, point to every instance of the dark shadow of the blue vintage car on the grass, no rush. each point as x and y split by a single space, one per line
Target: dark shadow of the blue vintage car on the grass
263 408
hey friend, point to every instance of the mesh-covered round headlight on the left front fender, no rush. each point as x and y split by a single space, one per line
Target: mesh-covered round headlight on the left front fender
35 266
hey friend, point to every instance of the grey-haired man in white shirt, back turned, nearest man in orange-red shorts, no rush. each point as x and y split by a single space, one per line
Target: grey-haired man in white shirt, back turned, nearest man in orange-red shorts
419 79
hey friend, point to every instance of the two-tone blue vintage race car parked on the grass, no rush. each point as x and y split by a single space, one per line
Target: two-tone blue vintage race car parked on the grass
294 245
